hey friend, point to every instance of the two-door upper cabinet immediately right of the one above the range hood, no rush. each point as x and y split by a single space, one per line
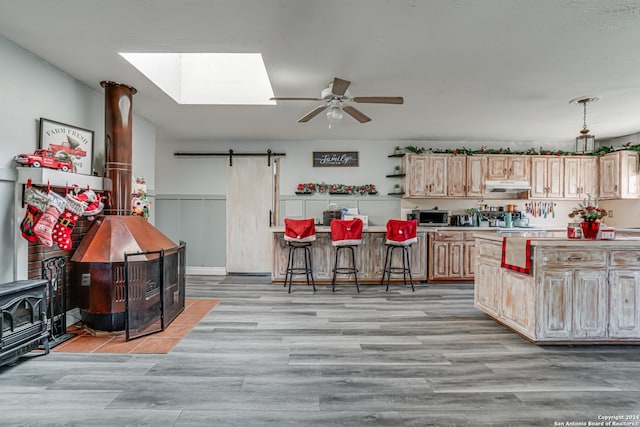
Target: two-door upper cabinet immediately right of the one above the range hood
547 175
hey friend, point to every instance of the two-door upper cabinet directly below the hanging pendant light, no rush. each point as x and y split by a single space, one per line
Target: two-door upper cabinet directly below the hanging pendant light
580 177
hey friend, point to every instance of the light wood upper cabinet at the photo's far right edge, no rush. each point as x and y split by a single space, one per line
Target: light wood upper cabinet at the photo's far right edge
619 175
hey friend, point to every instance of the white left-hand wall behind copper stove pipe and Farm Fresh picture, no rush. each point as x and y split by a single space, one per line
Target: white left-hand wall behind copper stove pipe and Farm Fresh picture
31 89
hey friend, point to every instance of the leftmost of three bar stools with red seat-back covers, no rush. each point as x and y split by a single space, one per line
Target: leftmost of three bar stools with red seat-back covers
299 235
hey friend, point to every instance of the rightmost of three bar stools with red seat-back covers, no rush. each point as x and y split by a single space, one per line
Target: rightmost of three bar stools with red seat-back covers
400 235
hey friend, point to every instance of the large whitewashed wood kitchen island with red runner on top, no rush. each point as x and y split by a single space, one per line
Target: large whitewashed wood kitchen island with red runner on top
572 291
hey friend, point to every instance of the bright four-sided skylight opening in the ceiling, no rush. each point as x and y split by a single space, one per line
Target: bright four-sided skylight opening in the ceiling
207 78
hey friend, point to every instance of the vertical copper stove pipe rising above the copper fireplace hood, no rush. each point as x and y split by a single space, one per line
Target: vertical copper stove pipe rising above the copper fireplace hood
118 146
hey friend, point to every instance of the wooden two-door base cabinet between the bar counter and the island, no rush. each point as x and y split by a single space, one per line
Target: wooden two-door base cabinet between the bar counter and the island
451 256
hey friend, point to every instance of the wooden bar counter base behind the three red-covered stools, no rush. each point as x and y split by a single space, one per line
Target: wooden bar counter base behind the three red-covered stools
369 257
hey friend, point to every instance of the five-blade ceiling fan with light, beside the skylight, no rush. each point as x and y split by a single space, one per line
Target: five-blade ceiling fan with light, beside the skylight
337 99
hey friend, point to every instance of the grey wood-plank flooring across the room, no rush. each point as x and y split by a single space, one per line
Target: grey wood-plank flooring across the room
263 357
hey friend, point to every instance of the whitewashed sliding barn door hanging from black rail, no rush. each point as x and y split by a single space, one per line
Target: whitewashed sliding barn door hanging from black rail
251 206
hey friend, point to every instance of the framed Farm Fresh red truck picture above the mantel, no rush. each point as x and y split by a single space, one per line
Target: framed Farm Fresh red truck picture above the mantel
68 142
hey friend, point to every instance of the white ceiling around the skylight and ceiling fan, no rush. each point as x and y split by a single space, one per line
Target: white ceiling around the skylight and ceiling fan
491 70
